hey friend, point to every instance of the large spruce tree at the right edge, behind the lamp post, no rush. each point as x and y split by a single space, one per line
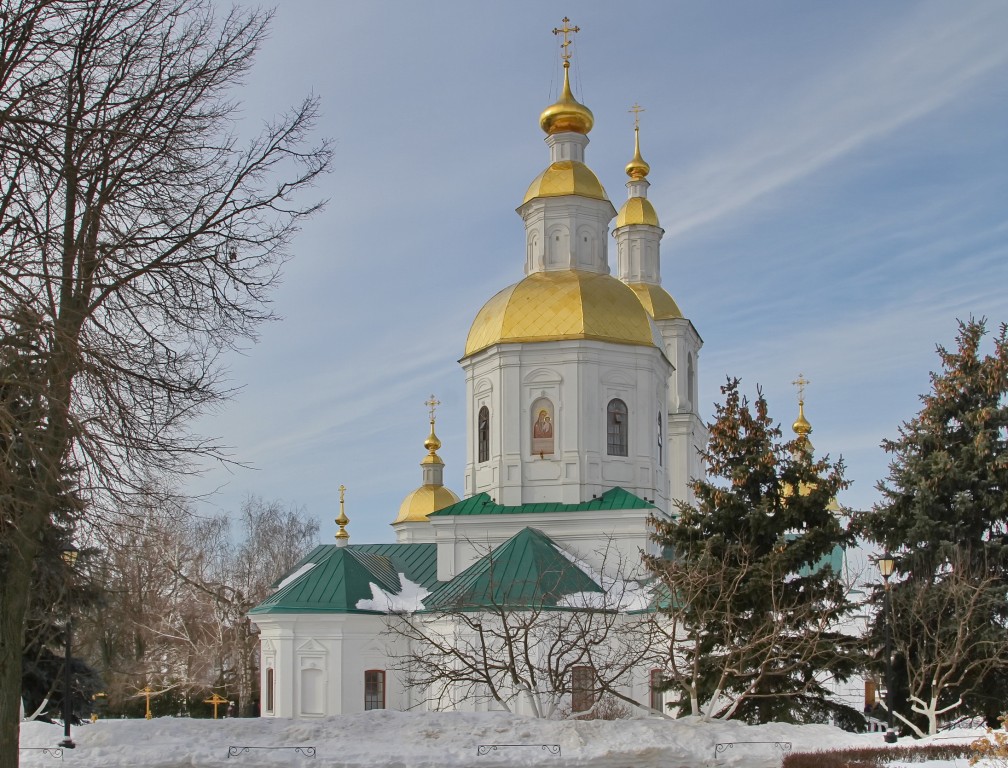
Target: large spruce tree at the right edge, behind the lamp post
946 501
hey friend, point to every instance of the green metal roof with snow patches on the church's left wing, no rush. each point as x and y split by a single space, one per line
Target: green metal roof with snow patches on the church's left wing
342 576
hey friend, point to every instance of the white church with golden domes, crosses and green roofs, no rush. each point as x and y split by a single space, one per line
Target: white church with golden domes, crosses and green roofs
582 424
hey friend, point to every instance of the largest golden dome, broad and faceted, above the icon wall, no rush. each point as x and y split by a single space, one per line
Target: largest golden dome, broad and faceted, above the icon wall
550 307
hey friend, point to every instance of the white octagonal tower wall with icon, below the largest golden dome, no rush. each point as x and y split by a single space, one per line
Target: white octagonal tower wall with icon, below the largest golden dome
580 378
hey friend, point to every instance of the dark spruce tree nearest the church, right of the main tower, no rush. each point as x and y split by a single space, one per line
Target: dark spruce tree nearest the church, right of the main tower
749 576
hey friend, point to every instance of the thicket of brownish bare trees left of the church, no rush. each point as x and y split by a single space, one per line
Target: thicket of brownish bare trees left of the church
178 592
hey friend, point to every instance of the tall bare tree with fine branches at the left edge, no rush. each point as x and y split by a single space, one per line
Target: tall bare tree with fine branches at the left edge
140 239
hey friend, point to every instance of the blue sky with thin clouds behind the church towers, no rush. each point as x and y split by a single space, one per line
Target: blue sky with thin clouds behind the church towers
832 179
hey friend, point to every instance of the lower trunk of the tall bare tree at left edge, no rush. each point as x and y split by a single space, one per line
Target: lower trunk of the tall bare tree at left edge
15 589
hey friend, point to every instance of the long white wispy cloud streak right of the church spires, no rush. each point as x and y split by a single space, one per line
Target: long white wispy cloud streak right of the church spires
931 62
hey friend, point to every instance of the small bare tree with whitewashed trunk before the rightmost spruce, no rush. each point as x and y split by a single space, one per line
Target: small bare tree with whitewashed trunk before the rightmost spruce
944 633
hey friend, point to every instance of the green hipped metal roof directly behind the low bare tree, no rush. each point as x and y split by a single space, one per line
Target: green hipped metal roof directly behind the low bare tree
528 571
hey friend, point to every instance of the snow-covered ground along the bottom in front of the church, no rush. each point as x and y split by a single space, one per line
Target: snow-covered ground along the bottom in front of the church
443 740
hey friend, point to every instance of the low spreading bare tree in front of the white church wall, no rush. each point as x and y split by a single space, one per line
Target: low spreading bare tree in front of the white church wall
530 644
